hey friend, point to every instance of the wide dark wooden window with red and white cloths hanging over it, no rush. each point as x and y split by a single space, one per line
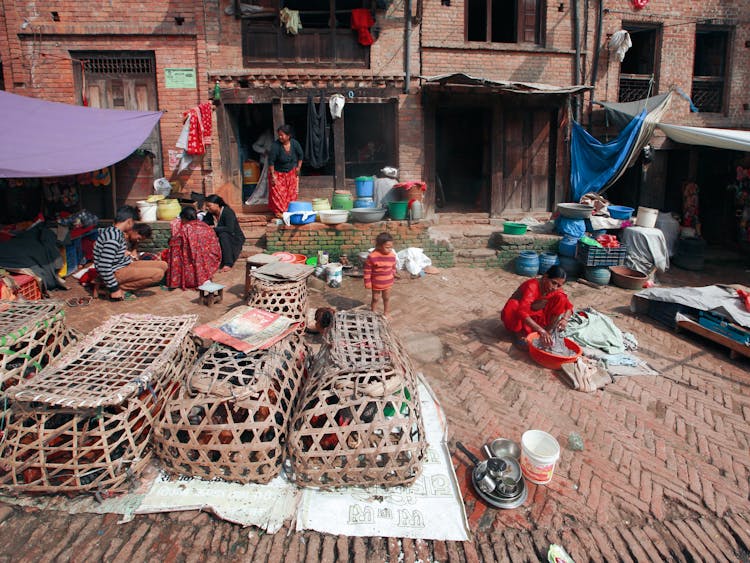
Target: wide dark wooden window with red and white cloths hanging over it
326 37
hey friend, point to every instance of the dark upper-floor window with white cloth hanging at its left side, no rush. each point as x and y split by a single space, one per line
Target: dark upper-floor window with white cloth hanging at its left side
638 68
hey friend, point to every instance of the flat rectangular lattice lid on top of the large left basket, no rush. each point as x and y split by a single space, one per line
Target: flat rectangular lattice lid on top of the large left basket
116 361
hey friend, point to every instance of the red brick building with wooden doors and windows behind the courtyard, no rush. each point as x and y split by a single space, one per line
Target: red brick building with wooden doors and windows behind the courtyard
470 95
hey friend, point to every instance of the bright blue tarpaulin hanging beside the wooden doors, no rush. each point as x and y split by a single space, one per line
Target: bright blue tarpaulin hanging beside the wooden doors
593 163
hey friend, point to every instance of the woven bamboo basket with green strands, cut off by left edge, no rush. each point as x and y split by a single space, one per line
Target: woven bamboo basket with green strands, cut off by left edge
32 334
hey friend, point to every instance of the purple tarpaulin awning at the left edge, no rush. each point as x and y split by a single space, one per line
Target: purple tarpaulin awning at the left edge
41 138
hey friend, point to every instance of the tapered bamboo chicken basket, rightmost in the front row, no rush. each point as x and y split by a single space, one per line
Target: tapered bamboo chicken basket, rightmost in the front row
359 421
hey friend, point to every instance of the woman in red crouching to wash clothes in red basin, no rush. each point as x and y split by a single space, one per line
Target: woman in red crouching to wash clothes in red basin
538 305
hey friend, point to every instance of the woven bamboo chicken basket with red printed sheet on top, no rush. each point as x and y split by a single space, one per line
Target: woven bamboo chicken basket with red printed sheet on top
231 420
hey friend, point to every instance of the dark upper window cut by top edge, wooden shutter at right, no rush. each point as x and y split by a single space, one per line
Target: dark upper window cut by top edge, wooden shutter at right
504 21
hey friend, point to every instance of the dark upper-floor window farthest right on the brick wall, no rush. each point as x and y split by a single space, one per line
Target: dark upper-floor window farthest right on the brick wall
709 69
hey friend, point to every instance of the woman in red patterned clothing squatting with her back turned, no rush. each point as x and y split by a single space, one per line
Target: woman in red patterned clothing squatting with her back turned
194 253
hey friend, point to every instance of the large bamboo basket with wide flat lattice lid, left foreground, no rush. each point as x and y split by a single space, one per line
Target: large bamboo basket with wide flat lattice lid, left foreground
84 422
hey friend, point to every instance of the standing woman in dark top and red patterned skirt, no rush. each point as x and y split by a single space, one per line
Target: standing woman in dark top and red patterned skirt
284 165
